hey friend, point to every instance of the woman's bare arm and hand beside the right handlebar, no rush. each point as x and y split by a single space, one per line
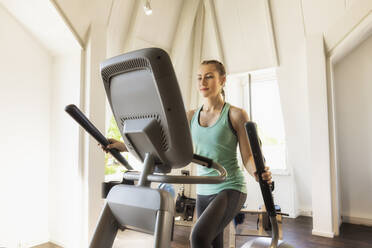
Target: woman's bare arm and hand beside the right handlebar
238 118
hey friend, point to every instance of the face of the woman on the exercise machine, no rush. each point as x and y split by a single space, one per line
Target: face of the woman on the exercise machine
210 82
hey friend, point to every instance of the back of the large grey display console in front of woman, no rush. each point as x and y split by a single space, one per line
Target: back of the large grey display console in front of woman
141 87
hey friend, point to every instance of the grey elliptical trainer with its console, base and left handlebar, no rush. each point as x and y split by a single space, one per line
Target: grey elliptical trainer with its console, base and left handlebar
146 101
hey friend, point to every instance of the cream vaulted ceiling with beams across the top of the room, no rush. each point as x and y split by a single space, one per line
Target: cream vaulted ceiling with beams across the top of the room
235 31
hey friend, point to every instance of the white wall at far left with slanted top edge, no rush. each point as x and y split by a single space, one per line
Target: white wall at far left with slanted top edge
24 130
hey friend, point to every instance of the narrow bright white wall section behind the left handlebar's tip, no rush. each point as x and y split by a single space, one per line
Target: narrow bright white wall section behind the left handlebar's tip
64 175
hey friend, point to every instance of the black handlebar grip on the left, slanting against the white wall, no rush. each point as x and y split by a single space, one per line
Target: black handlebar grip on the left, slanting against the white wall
85 123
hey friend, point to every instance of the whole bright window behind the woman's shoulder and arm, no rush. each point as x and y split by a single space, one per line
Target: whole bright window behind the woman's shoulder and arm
258 93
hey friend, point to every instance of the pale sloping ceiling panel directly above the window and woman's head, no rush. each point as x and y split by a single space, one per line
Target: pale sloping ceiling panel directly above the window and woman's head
246 35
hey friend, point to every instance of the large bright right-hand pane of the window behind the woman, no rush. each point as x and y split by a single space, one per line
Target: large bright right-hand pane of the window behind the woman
267 113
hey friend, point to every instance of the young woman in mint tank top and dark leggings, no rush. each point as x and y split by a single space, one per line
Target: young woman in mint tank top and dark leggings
216 129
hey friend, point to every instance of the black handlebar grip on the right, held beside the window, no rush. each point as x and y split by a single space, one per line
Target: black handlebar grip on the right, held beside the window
251 130
